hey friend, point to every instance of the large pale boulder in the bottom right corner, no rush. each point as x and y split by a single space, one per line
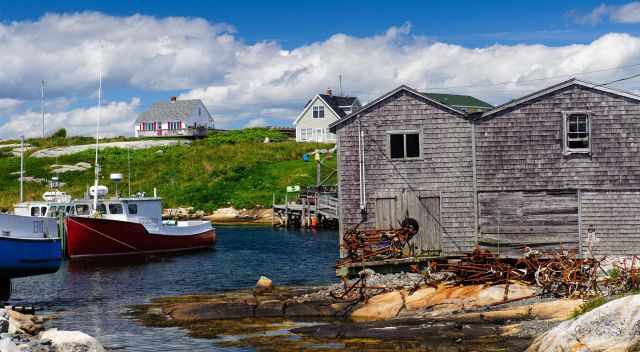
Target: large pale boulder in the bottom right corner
614 326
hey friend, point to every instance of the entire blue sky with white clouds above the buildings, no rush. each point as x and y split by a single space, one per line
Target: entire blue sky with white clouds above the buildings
257 63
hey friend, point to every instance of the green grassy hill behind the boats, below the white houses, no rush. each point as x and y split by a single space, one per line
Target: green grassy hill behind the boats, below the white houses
232 168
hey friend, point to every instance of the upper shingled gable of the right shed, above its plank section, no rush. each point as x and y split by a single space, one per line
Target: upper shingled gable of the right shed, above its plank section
522 148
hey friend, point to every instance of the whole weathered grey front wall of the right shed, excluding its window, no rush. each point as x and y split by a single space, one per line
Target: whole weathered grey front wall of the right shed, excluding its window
521 149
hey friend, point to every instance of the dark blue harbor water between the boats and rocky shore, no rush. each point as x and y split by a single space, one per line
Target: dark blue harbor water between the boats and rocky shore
93 296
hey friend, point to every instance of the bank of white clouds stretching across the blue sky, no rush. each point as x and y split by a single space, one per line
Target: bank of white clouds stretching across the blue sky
244 83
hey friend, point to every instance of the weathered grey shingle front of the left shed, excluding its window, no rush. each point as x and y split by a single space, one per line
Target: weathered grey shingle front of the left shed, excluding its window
444 171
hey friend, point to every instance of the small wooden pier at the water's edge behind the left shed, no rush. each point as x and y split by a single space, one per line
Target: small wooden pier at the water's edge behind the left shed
310 210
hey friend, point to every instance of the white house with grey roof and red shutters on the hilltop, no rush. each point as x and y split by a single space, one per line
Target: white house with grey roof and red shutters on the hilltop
175 118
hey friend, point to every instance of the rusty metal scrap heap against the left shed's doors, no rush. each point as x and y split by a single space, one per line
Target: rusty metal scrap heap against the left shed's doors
372 245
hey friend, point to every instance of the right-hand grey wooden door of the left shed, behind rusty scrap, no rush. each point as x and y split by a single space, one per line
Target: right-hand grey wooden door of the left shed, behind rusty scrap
426 210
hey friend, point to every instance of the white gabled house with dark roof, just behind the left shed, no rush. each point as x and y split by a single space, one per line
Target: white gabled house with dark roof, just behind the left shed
312 125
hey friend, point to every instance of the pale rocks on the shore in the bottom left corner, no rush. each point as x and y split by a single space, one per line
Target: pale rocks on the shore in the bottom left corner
26 333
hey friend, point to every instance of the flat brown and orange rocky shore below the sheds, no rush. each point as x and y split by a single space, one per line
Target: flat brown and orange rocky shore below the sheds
407 314
